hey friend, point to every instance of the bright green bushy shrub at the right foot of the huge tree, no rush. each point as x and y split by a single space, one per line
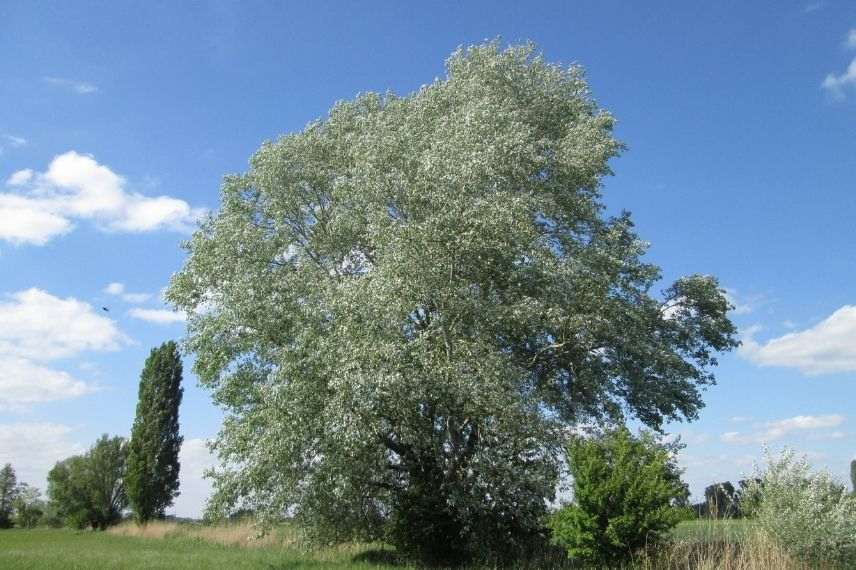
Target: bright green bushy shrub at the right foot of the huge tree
624 497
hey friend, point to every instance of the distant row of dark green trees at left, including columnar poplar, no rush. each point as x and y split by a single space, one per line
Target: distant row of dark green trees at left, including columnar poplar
95 489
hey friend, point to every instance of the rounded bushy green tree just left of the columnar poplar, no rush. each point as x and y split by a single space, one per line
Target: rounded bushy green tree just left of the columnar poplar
89 489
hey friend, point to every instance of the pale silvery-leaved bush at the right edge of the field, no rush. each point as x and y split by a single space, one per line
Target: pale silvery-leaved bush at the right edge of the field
809 513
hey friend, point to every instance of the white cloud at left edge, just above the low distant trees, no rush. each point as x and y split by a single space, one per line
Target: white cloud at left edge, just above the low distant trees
37 327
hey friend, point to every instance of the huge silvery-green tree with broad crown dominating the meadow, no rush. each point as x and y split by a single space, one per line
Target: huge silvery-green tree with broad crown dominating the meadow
403 306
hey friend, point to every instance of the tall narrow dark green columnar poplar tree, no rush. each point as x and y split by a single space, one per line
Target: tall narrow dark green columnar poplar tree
152 479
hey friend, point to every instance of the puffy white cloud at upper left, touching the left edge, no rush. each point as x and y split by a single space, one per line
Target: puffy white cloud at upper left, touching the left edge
41 206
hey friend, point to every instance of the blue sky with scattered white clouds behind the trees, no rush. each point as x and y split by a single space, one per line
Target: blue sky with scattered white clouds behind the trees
117 121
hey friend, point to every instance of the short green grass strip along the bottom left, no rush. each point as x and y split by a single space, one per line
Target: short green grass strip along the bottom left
61 548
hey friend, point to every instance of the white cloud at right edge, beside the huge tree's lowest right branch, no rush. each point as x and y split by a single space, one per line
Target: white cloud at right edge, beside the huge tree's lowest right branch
828 347
